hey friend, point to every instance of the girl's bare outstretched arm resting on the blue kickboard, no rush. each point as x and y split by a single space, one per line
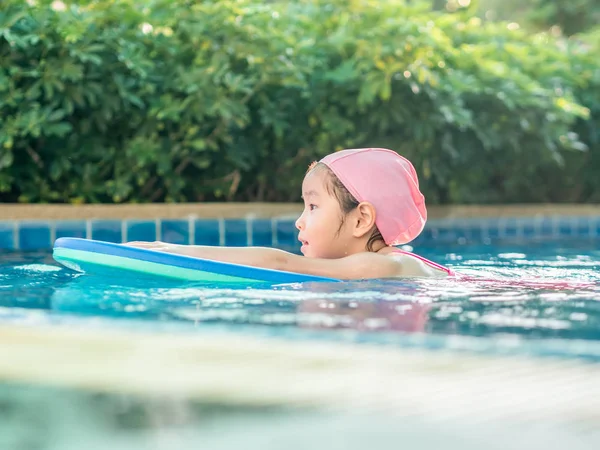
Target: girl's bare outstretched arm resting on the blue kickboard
357 266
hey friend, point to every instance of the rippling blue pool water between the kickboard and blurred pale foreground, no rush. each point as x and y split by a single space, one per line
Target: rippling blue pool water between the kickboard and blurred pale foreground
537 292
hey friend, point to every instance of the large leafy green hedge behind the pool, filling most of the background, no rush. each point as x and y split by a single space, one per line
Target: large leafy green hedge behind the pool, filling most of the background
131 101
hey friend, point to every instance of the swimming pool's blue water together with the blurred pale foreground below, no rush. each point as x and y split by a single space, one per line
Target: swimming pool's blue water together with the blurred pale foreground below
525 324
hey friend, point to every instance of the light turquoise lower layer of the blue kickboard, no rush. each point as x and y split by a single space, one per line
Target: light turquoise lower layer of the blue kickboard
72 258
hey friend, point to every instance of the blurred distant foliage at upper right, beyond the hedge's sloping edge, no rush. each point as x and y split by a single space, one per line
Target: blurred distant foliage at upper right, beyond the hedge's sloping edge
574 18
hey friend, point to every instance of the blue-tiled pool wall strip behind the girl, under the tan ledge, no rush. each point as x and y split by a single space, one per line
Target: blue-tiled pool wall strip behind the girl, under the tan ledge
280 232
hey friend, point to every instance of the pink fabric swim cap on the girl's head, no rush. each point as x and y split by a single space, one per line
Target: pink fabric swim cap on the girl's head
389 182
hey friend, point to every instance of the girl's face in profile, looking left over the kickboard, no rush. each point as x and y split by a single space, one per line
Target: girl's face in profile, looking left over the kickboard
321 230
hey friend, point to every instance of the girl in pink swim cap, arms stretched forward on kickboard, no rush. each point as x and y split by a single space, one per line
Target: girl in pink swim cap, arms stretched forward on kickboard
358 204
